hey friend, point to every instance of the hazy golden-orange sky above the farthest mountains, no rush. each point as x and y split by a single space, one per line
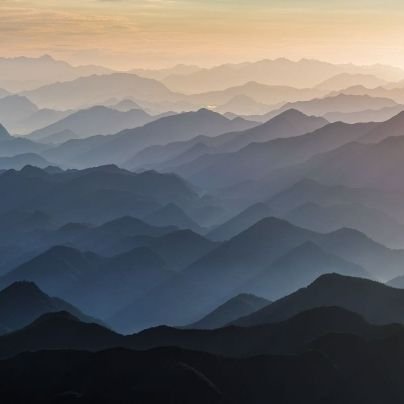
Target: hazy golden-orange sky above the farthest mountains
153 33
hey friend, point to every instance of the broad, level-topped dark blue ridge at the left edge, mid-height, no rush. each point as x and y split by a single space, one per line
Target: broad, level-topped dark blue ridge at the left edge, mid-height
94 195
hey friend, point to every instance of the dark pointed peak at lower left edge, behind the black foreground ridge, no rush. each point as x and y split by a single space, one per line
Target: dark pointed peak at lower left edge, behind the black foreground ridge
22 302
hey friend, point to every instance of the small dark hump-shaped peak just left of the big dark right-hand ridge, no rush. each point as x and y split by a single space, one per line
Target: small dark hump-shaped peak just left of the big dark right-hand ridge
239 306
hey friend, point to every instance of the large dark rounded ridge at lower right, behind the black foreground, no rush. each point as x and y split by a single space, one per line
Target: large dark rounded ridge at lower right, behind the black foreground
376 302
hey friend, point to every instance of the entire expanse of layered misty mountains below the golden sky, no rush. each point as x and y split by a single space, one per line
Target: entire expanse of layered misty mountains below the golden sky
231 234
